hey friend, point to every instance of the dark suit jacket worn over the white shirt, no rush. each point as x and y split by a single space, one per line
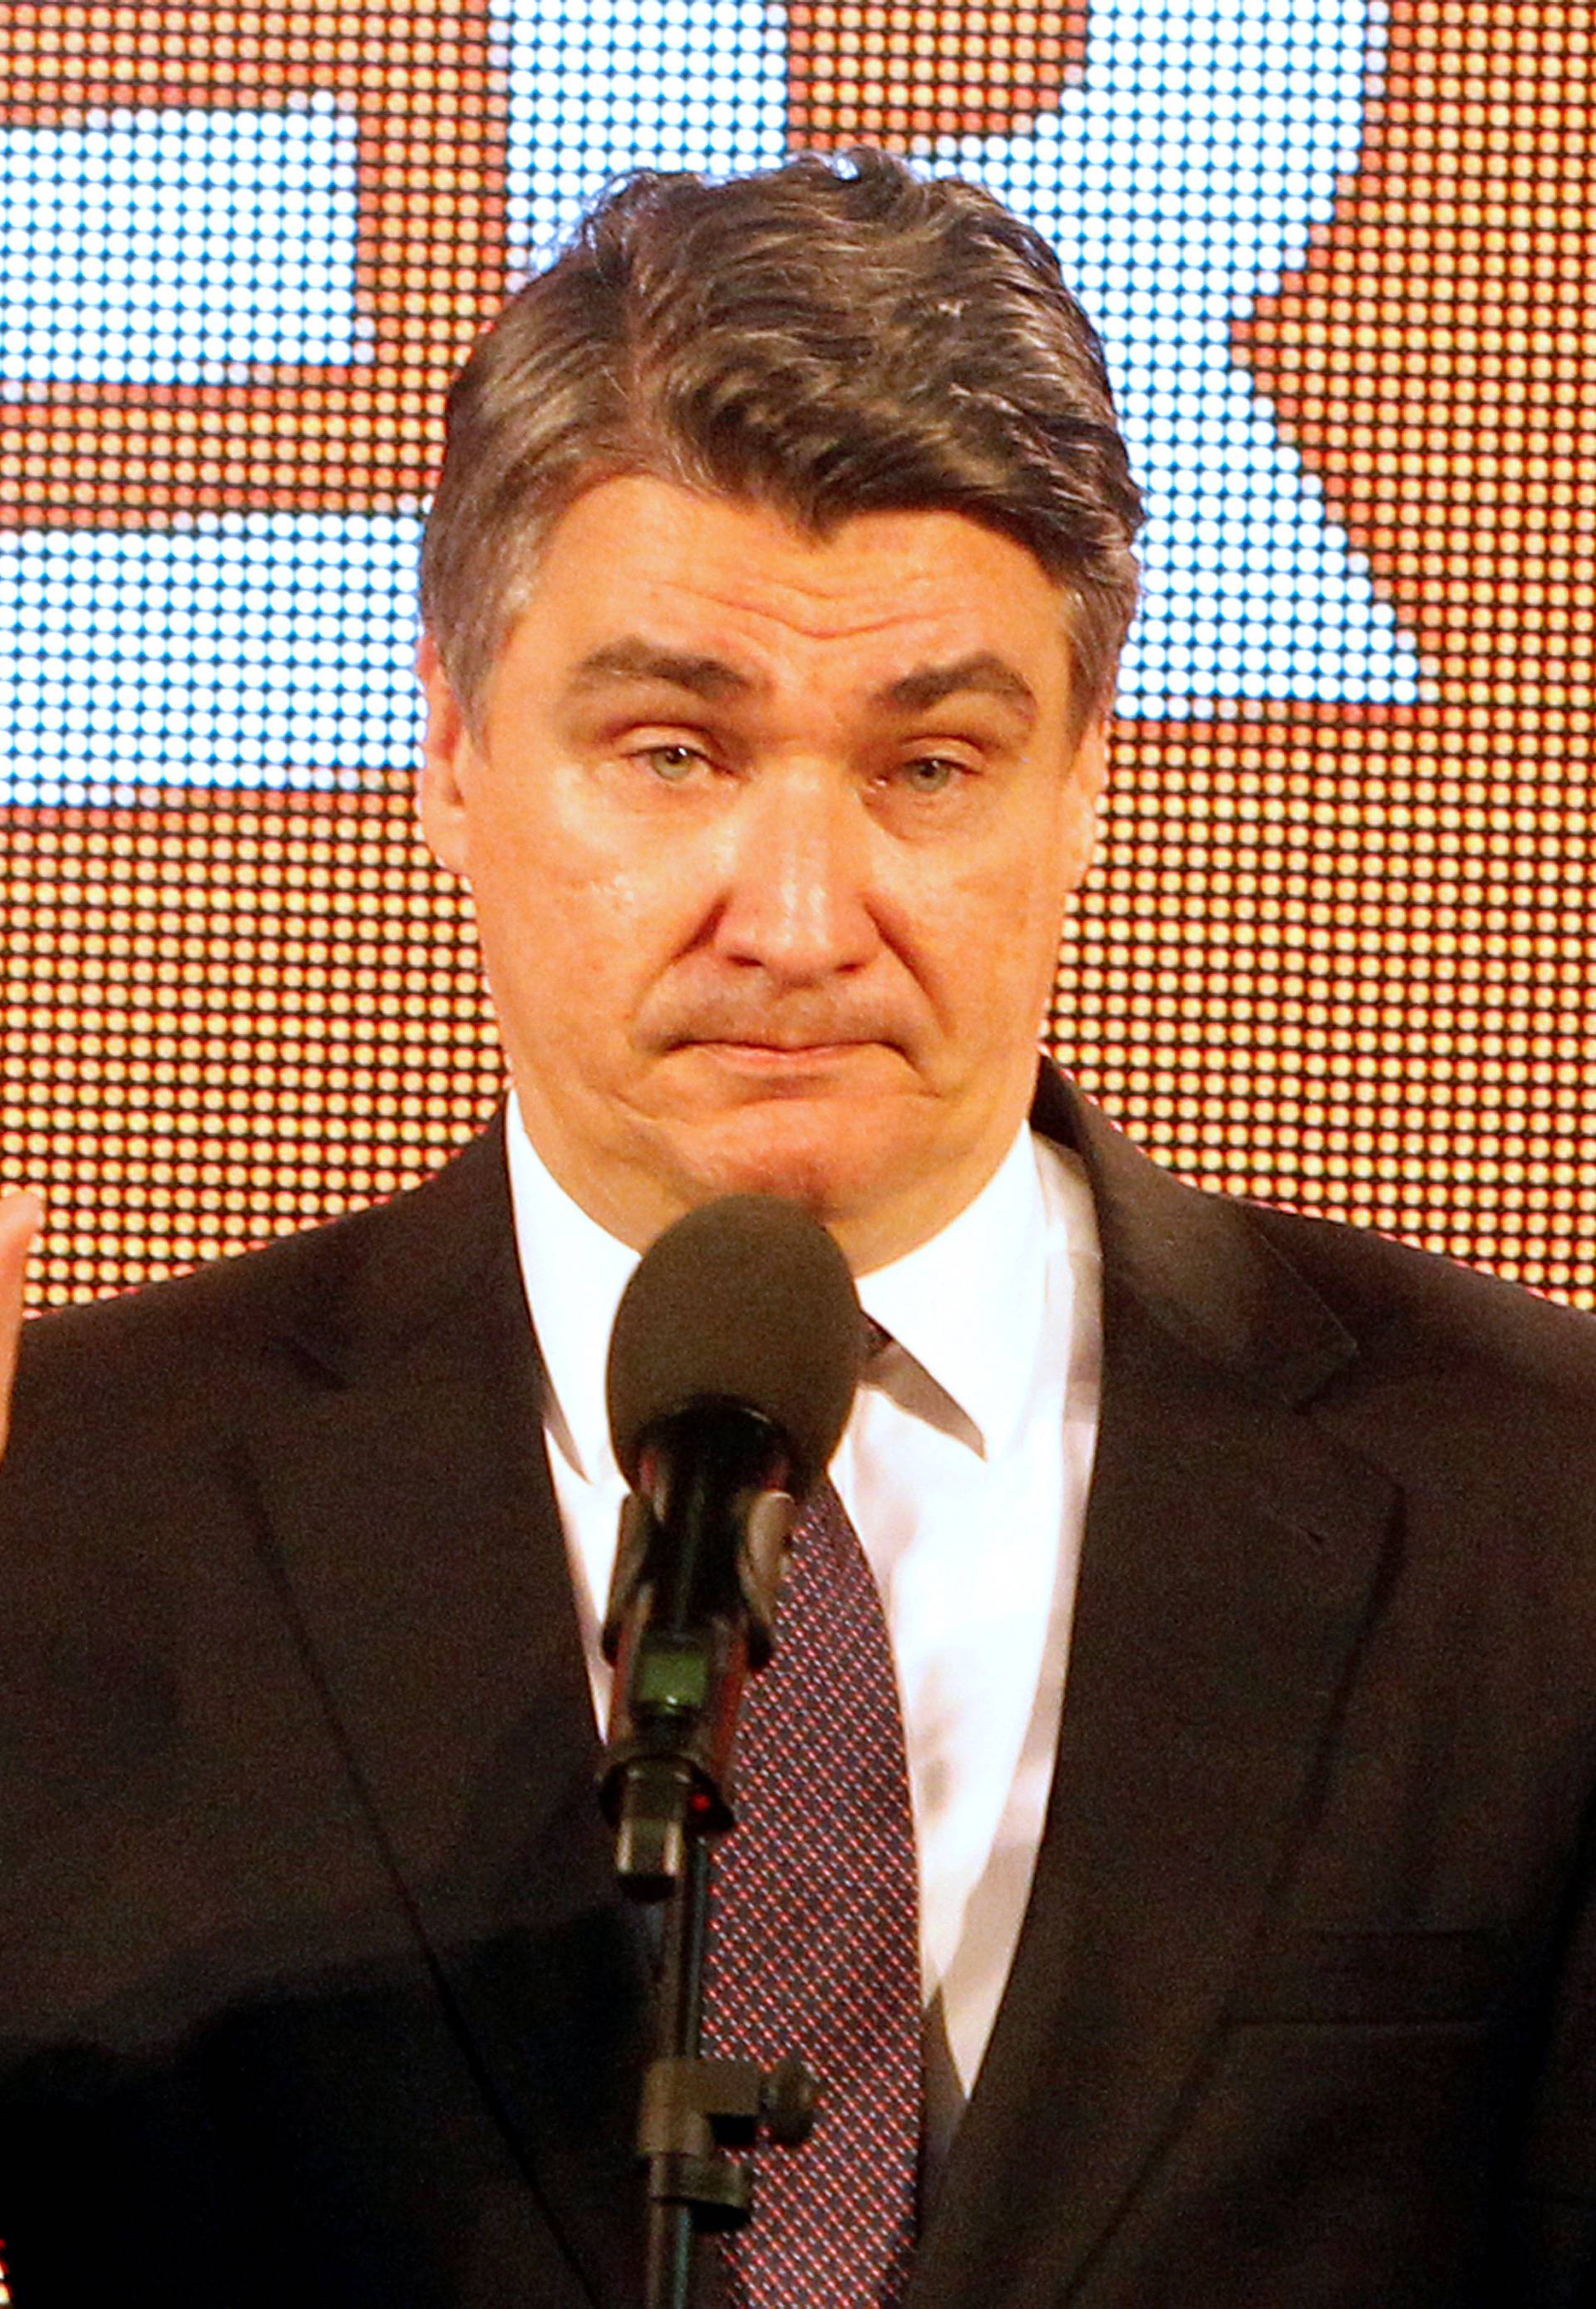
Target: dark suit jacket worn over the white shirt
313 1982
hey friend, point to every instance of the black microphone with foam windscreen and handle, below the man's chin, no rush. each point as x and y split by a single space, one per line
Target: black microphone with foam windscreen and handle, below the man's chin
733 1368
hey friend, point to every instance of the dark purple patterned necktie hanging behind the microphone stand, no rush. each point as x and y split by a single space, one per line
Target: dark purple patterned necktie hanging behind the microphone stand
814 1938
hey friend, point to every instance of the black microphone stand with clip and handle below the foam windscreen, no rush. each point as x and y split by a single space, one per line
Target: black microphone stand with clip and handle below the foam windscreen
689 1617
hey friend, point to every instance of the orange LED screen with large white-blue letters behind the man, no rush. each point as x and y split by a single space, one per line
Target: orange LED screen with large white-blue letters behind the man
1338 946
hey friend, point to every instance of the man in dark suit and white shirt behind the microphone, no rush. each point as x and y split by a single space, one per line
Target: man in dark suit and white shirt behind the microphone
775 585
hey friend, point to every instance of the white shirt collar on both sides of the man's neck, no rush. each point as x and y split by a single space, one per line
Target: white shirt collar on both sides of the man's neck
969 1306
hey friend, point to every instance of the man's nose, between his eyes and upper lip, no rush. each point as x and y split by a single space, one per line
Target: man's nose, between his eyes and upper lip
798 897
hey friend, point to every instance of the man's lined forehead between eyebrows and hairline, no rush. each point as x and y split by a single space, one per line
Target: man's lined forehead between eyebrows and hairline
745 585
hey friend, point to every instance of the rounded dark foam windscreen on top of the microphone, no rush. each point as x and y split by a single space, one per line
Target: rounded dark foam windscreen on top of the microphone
743 1301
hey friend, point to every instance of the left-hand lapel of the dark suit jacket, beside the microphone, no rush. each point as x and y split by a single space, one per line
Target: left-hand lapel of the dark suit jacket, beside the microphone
412 1520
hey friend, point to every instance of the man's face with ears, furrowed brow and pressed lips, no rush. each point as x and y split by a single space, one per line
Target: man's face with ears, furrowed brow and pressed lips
770 844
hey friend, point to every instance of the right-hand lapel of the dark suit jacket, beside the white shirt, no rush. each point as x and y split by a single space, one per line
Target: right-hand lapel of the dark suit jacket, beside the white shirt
1228 1574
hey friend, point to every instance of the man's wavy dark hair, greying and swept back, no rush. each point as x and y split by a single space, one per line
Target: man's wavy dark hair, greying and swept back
828 338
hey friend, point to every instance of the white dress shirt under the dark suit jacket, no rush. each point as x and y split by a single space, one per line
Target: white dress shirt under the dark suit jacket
964 1470
